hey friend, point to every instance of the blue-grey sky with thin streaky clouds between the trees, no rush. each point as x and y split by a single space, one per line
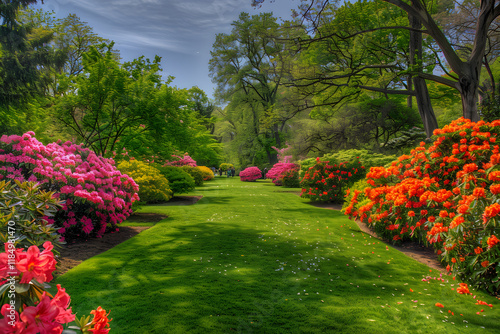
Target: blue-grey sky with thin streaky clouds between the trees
180 31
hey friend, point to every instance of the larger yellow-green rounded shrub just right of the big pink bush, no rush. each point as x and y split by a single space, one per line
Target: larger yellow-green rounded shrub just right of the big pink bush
153 186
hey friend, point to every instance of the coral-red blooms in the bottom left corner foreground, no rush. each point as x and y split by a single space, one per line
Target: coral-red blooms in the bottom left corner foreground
27 307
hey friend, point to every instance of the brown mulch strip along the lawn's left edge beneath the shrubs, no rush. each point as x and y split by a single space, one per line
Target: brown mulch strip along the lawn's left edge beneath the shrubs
73 254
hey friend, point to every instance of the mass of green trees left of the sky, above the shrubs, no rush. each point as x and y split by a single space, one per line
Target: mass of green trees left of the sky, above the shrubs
61 80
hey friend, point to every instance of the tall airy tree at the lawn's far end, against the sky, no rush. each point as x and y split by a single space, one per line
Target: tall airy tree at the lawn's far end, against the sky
247 69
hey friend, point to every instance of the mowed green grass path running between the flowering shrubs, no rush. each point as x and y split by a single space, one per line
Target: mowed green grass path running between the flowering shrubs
256 258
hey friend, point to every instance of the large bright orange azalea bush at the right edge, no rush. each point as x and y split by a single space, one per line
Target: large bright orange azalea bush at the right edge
446 195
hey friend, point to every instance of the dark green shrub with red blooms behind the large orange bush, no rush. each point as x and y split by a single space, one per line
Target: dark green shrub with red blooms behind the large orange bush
327 183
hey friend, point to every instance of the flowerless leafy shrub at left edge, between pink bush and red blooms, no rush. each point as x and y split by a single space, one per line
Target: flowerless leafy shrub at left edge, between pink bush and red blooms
25 214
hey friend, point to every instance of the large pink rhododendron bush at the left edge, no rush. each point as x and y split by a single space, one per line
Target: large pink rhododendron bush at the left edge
97 195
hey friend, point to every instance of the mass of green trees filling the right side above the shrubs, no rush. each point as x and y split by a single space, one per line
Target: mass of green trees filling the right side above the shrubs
377 74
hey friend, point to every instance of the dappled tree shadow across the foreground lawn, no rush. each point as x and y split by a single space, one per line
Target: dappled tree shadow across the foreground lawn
220 278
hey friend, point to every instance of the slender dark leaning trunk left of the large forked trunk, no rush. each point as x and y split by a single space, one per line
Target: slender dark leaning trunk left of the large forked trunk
420 87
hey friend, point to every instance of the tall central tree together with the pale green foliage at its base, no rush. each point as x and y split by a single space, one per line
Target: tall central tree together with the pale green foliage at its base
246 66
